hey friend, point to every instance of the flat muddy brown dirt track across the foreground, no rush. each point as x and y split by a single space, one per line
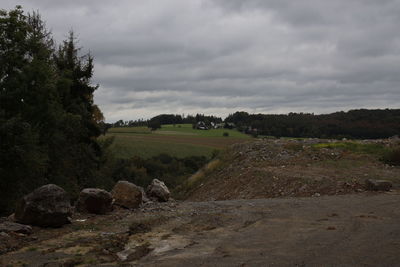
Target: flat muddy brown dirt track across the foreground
351 230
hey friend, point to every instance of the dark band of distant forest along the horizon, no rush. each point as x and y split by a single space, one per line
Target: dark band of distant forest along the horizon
359 124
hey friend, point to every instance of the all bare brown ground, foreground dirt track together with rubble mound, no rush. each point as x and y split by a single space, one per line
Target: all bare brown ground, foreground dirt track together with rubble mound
278 203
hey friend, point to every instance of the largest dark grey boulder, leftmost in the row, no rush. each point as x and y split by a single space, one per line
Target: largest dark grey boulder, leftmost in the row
47 206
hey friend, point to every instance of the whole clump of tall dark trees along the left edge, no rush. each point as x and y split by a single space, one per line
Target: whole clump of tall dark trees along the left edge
48 122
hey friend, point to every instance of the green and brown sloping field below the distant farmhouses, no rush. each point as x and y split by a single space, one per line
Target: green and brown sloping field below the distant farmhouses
178 140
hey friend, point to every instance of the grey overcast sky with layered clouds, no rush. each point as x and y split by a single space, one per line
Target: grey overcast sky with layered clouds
220 56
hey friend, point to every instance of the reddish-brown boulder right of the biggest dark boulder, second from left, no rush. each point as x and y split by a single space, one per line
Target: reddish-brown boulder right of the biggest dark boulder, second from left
94 200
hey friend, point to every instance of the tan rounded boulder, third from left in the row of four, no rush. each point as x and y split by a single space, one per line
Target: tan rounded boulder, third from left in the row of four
127 195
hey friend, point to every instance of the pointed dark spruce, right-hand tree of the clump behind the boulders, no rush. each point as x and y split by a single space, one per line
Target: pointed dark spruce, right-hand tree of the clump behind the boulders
80 123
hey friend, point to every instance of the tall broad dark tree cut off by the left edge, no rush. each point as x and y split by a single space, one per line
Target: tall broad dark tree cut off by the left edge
27 97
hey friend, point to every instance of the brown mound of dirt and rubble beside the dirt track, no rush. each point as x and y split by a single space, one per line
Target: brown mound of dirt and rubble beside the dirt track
296 168
